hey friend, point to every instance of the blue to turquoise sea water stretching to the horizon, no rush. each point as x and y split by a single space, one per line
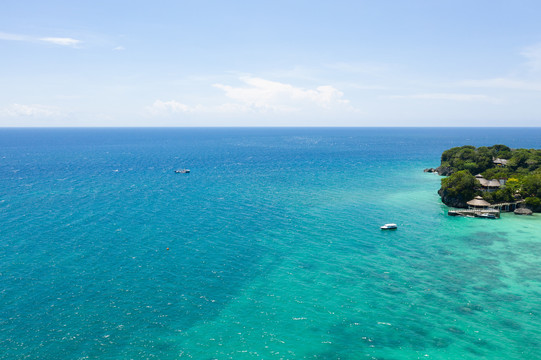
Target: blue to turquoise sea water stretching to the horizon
269 249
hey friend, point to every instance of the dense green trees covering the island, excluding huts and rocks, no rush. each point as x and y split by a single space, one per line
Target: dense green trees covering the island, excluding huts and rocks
522 173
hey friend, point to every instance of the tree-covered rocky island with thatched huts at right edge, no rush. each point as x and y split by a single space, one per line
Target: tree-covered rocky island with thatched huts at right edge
495 176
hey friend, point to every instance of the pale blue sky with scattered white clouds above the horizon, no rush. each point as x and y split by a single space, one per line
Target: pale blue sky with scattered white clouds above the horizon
270 63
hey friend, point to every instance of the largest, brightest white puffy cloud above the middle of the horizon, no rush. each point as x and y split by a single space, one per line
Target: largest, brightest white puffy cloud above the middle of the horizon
261 94
